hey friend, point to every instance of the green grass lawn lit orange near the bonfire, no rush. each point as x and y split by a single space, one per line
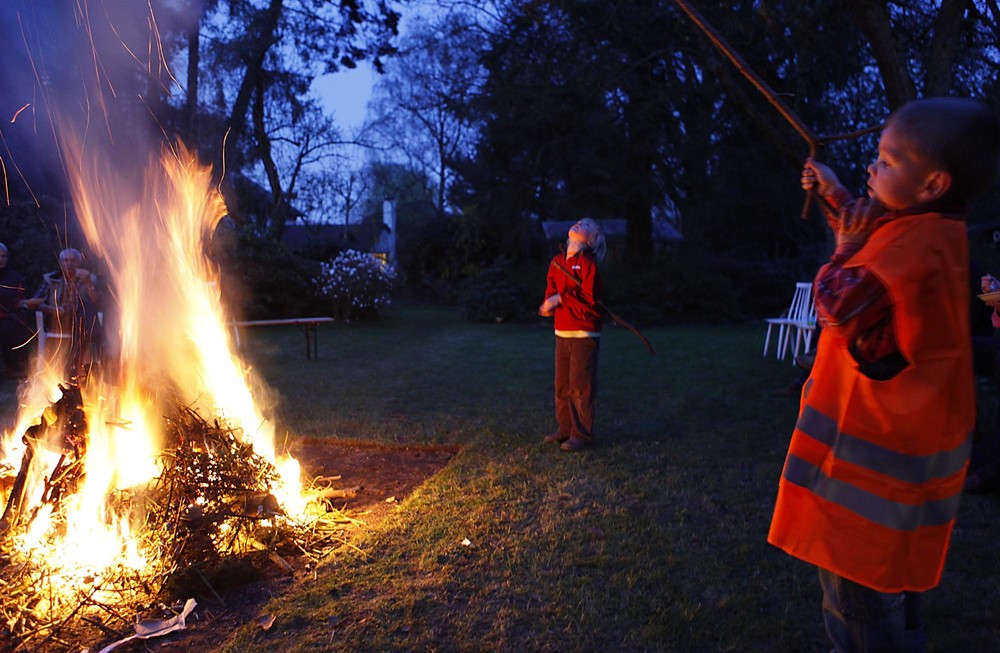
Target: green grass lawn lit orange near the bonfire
653 540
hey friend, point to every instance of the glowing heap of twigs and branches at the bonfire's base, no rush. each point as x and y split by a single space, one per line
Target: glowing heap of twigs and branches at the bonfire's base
209 511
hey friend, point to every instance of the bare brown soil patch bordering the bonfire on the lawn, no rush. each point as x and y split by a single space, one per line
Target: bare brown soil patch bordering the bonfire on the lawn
379 476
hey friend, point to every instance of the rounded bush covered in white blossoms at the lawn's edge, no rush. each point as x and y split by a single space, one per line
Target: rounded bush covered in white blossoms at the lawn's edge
355 284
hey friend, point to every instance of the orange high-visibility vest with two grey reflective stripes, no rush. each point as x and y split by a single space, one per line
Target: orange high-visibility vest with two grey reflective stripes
874 471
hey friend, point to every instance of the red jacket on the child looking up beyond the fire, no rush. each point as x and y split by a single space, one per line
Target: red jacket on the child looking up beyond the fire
578 310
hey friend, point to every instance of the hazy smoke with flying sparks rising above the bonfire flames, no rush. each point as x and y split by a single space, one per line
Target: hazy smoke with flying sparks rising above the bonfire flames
96 71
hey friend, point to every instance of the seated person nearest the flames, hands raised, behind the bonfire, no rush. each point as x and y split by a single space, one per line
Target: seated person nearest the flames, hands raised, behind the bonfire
70 299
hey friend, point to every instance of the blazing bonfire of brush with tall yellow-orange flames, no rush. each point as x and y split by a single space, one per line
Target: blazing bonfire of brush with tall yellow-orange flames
122 484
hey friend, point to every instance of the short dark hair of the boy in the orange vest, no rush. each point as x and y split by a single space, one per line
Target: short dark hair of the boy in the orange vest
958 135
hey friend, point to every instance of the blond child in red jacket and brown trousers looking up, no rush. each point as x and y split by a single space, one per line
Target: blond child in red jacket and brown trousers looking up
573 288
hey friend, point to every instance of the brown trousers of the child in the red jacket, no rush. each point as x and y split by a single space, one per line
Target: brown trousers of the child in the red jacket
576 386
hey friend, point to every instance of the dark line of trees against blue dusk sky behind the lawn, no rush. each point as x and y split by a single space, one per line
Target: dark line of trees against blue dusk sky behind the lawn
492 117
